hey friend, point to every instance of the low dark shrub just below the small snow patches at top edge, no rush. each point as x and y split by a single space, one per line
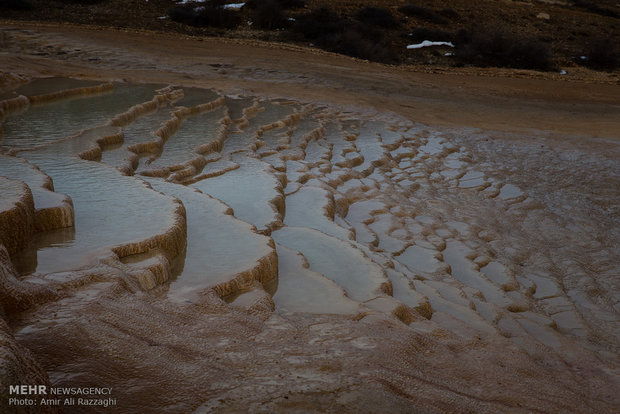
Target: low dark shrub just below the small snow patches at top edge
213 16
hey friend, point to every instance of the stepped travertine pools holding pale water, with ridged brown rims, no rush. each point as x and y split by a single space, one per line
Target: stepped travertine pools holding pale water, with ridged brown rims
326 211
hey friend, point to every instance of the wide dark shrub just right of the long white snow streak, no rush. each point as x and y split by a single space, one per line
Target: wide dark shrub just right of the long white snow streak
501 49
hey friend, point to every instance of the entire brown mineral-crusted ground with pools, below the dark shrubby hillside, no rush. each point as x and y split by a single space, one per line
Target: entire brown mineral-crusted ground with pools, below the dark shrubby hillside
218 226
